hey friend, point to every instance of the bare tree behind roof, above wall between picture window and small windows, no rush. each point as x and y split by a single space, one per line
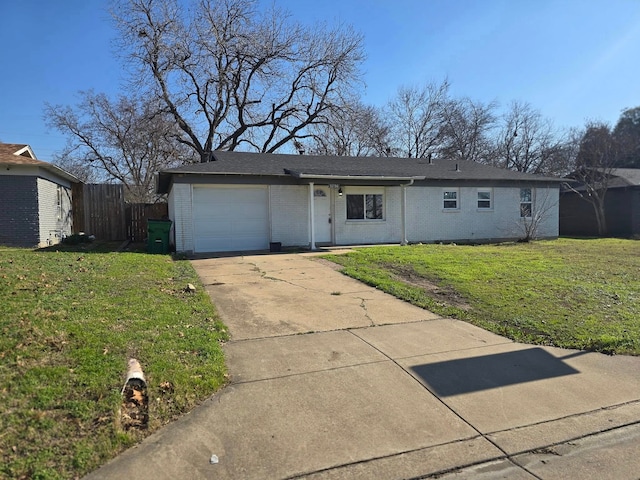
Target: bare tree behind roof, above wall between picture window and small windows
416 115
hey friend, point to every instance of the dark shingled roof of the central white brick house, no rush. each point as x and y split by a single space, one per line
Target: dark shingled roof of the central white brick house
328 167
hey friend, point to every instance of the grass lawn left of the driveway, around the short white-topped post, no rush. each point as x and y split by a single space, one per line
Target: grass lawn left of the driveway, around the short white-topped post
70 321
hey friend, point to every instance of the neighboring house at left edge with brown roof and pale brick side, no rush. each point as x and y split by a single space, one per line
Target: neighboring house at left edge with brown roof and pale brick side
35 198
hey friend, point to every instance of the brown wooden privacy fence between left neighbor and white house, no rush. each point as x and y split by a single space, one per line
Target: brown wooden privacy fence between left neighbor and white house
100 210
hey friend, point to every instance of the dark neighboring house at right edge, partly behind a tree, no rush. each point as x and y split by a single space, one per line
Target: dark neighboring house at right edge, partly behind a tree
622 206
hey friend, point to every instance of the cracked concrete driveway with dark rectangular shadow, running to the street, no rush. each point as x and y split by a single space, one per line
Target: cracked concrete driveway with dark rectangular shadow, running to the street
331 379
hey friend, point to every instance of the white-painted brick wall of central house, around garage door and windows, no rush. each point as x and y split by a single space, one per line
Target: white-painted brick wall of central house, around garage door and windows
427 220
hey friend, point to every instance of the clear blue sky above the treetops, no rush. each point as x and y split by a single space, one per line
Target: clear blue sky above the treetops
571 59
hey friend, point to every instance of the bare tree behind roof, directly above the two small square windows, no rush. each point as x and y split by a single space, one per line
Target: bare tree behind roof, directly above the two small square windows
466 129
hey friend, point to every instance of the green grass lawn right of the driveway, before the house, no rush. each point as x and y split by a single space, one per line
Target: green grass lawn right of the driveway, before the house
582 294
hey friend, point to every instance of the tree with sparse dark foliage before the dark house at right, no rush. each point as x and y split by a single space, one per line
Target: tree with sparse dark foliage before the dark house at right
597 157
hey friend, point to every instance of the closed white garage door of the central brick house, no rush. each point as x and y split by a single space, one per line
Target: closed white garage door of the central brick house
230 218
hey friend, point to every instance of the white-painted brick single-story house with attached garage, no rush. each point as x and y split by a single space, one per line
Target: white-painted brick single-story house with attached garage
252 201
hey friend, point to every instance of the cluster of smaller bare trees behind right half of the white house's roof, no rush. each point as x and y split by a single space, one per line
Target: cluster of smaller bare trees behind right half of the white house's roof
428 121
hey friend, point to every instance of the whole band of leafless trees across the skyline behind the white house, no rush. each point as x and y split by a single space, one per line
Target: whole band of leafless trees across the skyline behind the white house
231 74
